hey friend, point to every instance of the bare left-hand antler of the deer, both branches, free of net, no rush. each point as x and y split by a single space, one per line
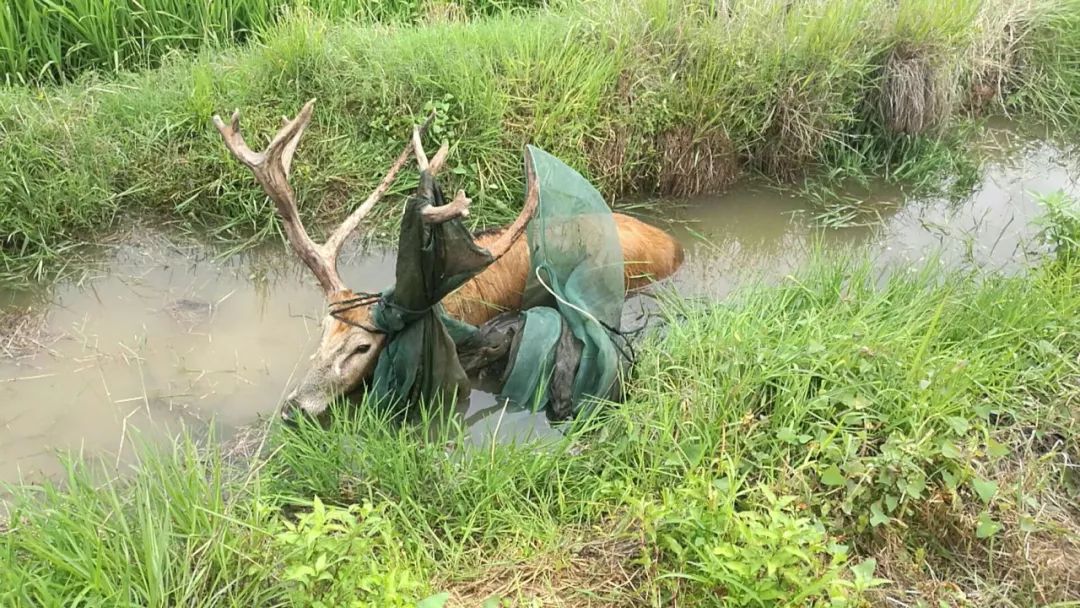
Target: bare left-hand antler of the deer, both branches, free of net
272 169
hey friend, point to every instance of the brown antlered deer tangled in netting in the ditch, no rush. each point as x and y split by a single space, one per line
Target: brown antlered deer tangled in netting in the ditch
350 344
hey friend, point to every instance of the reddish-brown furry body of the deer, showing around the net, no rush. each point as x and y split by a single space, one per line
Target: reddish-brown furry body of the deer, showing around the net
650 254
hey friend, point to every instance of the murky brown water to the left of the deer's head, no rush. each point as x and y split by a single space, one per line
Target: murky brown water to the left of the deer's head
163 336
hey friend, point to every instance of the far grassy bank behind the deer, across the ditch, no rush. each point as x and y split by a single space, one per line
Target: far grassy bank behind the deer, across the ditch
659 98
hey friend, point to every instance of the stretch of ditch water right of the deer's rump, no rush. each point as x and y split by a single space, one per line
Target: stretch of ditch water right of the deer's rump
762 234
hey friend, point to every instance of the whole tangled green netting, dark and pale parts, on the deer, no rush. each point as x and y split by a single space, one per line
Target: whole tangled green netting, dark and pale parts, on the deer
558 353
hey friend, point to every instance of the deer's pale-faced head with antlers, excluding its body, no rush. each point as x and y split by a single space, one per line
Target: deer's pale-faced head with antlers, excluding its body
350 343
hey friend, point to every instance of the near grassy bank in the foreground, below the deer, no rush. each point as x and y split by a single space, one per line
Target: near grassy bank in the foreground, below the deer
832 441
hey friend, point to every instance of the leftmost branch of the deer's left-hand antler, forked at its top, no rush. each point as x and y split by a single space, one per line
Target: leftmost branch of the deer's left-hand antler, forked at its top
272 170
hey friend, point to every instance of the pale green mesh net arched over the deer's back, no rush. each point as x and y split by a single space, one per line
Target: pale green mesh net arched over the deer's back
577 280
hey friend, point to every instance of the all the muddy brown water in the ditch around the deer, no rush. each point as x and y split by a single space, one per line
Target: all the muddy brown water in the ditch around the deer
167 335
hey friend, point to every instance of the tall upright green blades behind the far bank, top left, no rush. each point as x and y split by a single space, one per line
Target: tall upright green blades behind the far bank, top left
44 42
